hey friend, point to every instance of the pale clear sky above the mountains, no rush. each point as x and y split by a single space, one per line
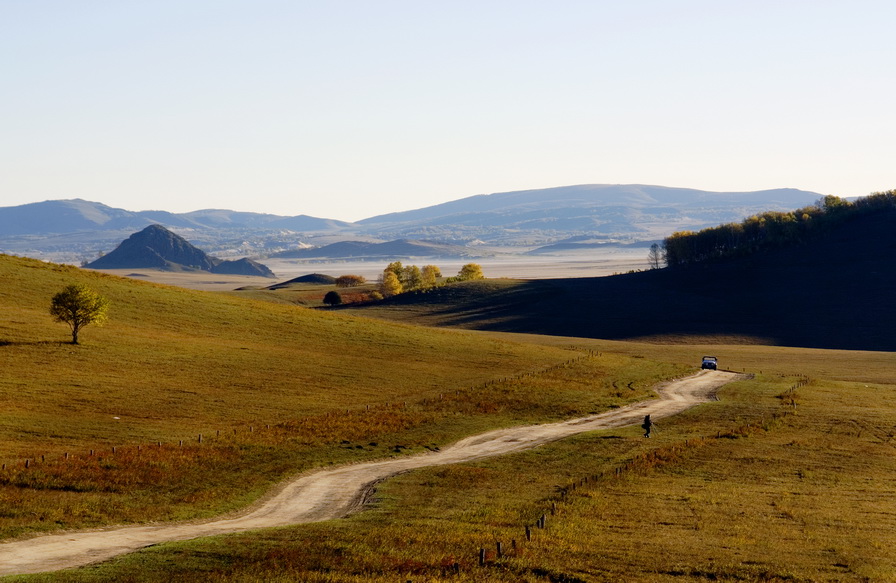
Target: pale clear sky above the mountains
347 109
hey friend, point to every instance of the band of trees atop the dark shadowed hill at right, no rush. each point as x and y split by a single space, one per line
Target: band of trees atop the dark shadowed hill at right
767 230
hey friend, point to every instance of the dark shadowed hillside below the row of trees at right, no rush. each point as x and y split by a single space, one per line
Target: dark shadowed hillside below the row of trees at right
835 291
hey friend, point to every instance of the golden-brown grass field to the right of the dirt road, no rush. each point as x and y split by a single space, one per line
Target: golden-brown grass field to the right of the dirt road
786 479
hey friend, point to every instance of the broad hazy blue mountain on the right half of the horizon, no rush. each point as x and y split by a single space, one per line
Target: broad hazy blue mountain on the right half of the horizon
623 210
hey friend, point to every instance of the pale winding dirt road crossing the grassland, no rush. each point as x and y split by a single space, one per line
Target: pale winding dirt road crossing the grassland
335 492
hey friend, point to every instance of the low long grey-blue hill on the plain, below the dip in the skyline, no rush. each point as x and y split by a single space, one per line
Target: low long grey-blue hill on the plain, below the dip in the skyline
367 250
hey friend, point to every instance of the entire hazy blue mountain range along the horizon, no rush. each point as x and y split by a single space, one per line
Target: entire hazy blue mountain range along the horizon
78 230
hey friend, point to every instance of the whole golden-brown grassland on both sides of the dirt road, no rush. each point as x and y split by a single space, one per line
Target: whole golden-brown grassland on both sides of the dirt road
790 476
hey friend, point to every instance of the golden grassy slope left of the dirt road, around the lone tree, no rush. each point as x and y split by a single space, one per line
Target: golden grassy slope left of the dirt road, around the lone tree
273 389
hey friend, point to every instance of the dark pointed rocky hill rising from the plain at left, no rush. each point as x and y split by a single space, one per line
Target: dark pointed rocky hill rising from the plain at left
156 247
